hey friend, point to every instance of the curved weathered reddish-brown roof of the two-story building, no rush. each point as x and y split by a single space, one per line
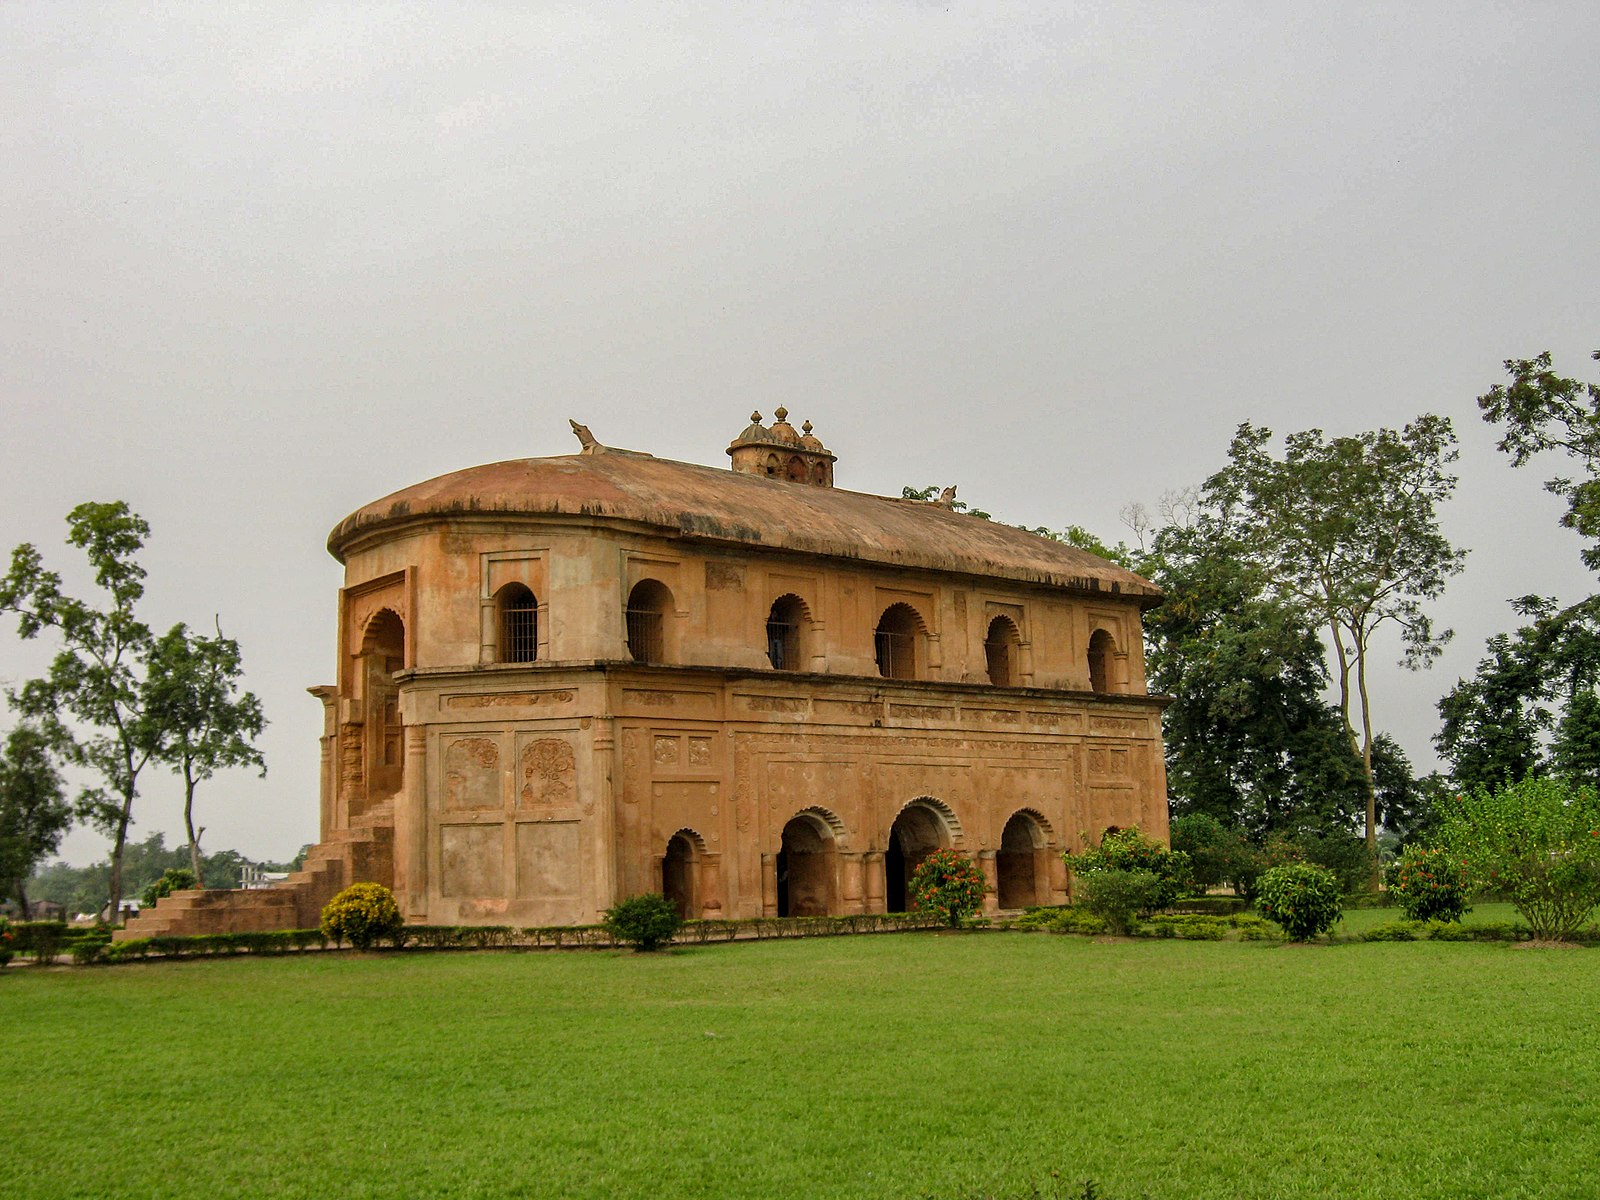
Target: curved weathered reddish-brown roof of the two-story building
724 506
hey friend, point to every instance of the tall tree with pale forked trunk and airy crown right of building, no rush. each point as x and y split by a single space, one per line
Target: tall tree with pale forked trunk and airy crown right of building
1348 530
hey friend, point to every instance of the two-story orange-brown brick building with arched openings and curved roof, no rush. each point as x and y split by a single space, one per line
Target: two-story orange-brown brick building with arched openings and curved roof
566 681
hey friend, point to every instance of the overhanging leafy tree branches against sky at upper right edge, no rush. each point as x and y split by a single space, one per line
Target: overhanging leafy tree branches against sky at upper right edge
1542 412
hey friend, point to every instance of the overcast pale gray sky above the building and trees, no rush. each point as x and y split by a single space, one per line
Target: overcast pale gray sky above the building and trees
262 265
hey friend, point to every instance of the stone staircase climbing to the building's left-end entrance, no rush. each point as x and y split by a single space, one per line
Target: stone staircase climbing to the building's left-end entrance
364 854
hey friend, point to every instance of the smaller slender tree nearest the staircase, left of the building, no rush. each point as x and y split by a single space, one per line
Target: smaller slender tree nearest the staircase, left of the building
194 695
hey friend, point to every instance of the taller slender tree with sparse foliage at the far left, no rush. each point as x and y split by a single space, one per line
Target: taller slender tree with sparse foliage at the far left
100 674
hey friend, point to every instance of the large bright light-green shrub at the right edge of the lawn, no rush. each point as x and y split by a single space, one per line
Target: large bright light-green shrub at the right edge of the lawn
1537 842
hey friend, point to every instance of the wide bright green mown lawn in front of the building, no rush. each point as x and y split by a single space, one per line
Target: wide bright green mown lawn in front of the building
887 1066
